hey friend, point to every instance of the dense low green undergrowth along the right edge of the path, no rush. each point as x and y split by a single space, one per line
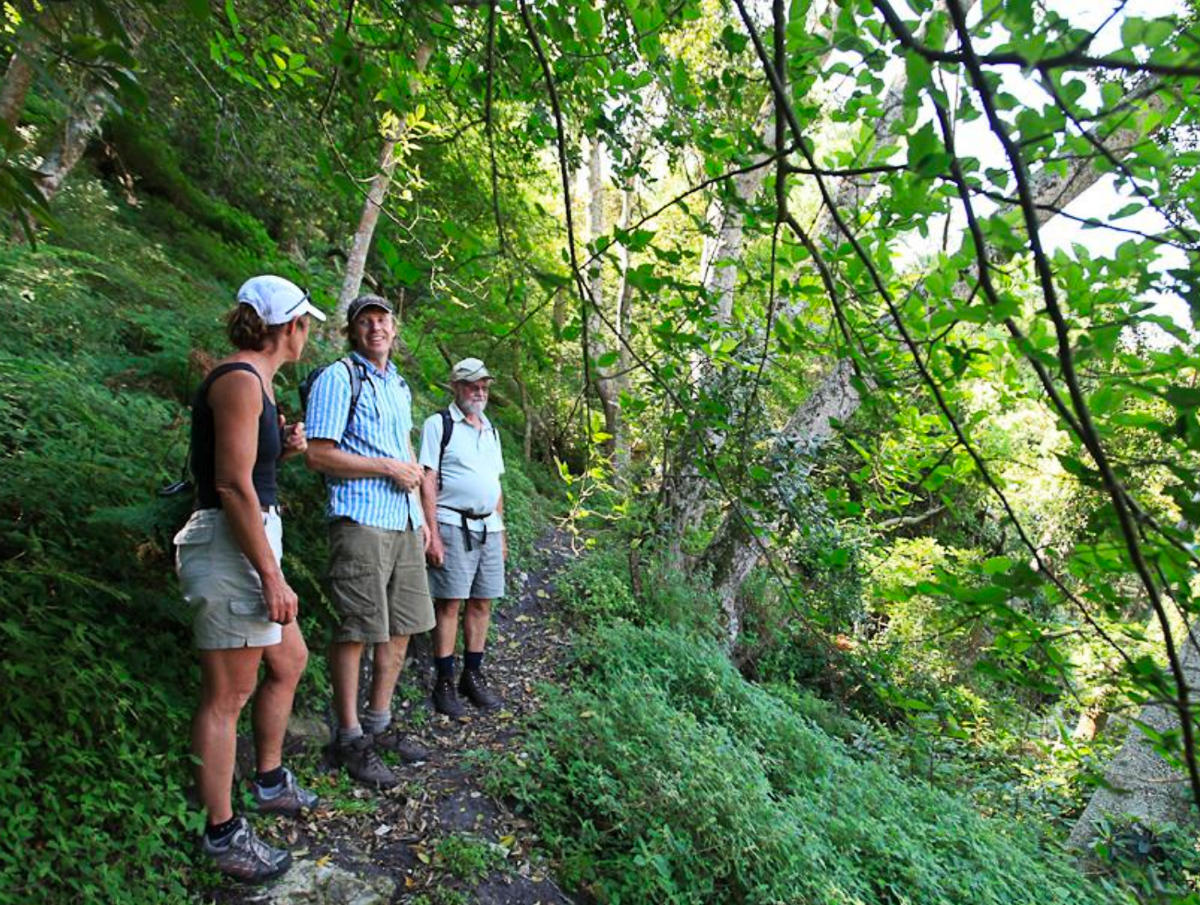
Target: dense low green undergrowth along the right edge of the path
663 776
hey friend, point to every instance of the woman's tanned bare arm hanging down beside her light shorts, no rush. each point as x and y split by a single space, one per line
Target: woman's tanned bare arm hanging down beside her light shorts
237 404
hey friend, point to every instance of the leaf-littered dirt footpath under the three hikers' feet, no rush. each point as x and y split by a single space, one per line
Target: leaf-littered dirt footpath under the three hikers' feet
439 838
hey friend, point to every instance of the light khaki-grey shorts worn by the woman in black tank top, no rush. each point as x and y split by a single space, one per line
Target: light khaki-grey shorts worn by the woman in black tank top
218 579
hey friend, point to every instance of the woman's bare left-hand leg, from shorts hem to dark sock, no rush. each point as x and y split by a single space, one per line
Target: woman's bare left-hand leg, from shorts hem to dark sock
227 681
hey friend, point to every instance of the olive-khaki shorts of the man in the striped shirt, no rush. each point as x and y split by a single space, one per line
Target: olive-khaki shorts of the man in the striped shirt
377 582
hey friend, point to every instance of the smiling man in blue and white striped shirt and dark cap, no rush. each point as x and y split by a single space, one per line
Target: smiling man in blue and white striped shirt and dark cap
377 536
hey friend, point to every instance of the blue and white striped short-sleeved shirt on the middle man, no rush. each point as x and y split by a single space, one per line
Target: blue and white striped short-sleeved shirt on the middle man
383 421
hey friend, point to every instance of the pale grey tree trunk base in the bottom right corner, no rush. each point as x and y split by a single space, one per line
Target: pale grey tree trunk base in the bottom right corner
1143 784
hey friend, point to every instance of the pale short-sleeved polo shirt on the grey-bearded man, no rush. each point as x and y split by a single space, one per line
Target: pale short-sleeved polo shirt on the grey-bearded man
471 469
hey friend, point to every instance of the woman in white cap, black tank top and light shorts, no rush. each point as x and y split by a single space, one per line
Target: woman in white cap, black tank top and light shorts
229 561
